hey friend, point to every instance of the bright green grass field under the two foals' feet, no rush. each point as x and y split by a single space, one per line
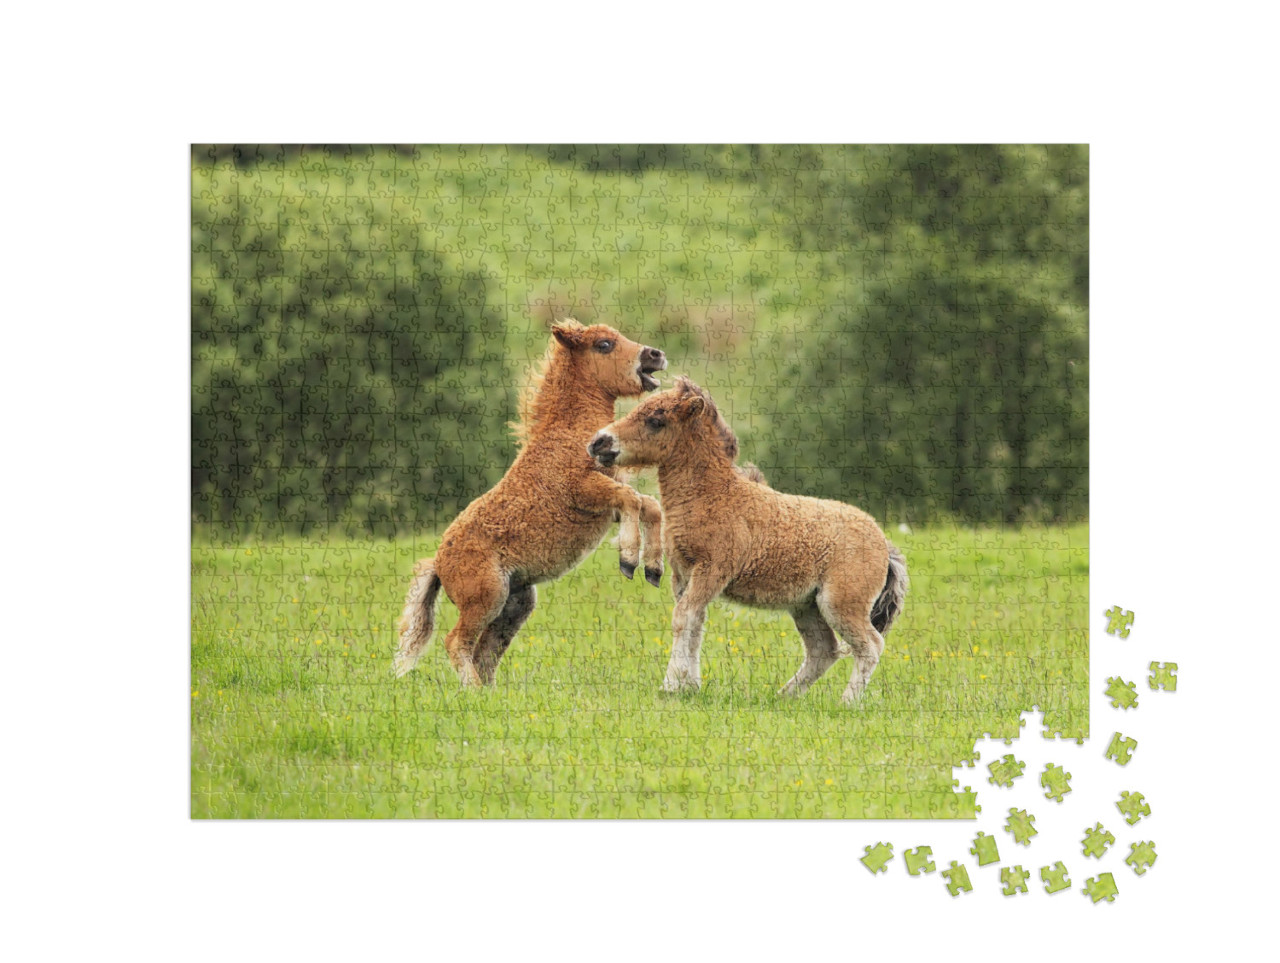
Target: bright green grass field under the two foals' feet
295 711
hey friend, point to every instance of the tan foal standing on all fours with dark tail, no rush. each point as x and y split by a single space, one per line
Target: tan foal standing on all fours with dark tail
826 563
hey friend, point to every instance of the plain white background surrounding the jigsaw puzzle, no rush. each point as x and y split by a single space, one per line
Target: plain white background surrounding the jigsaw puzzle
102 106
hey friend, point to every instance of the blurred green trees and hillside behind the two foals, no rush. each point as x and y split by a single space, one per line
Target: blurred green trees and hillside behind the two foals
904 328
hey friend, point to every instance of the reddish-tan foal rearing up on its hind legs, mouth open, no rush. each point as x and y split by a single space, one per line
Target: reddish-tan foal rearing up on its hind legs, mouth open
547 514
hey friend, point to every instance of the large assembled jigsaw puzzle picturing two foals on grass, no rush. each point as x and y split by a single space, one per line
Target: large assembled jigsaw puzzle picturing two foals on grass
417 594
